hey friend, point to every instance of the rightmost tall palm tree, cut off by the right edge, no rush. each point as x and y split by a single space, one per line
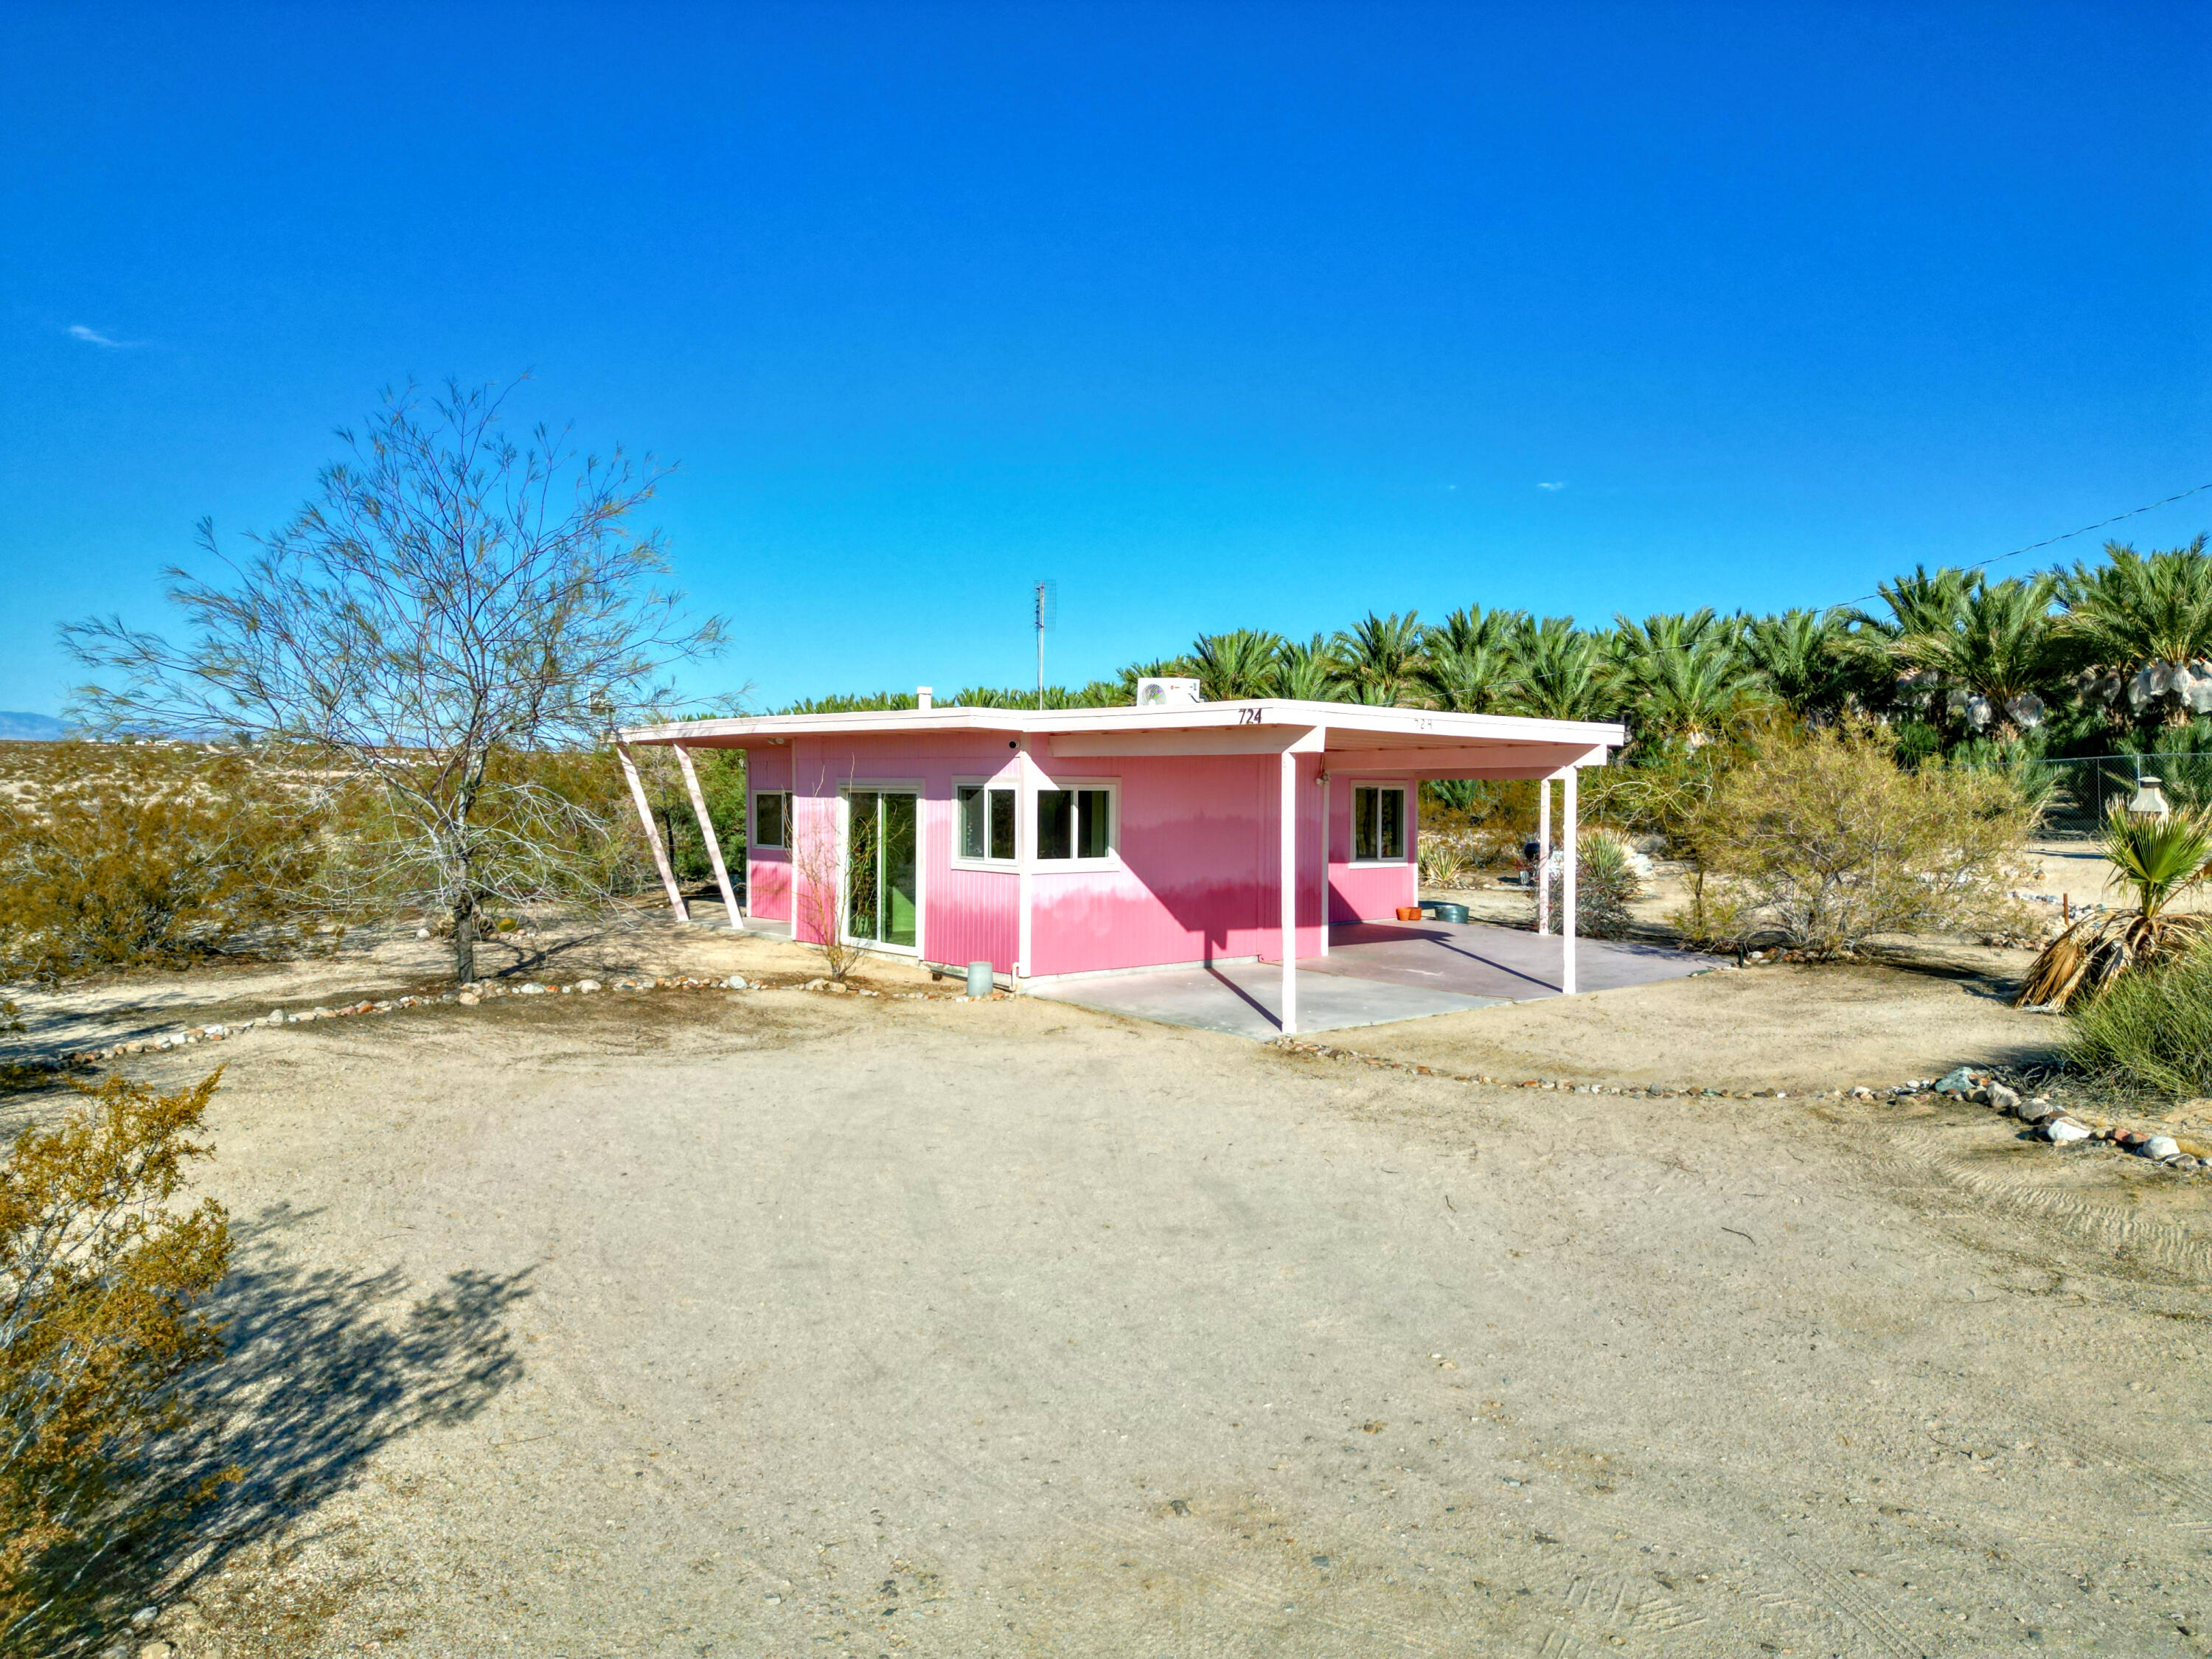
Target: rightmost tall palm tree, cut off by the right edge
2136 616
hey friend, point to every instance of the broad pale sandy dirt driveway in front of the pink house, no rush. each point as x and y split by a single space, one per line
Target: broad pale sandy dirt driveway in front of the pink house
771 1324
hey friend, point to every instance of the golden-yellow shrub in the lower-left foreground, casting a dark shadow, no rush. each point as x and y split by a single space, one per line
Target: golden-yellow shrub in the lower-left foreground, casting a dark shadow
103 1288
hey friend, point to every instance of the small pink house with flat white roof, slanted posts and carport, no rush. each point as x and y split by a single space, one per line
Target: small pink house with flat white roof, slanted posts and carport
1085 842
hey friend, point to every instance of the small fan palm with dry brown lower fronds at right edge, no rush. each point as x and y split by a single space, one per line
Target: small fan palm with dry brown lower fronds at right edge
2158 862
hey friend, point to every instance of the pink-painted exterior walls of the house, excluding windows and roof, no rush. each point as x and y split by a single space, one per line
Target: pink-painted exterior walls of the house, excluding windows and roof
1196 875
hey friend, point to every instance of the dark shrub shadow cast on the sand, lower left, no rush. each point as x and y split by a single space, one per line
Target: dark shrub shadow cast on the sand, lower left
324 1370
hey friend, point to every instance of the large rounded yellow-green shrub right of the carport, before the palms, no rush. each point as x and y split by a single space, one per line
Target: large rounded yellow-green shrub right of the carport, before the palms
1822 842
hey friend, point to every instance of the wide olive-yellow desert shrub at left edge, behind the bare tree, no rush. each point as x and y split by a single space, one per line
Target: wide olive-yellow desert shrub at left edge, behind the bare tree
121 855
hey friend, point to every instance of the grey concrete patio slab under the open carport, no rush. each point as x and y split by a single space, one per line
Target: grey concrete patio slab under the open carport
1377 974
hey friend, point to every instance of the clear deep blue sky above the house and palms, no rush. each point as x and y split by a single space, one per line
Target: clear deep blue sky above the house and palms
1218 315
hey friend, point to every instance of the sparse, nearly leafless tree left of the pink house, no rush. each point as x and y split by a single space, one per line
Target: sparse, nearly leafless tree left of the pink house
446 612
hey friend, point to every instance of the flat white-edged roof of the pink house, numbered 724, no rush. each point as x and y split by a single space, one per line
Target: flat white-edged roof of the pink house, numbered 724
1346 727
